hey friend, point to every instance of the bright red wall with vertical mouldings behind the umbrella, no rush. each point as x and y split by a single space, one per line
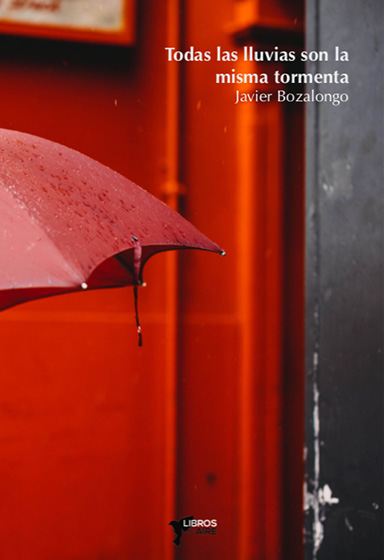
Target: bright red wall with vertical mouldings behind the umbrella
102 443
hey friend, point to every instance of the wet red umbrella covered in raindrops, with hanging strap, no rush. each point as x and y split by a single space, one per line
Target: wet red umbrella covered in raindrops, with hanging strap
69 223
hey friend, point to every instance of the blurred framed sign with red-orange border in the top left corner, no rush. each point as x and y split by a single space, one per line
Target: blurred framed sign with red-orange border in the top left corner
105 21
